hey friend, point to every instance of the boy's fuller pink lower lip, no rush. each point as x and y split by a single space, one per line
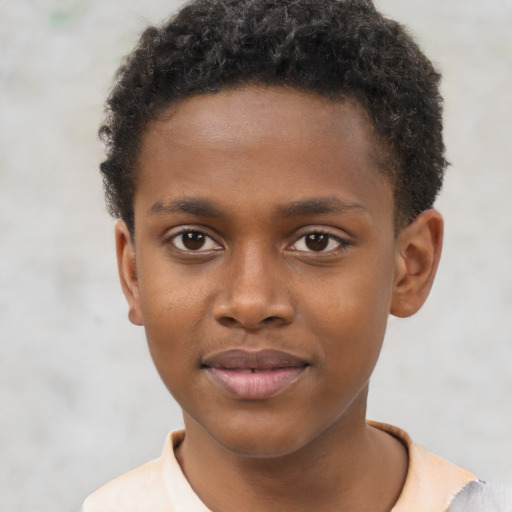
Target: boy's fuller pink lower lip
246 385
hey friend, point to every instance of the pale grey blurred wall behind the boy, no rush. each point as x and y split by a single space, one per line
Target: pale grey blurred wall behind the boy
79 399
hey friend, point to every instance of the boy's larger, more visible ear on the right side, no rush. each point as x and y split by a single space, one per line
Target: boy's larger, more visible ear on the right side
418 252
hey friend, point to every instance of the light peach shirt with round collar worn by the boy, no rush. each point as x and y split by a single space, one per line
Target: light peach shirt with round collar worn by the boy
160 486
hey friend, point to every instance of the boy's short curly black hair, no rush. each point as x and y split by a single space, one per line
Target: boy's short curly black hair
336 48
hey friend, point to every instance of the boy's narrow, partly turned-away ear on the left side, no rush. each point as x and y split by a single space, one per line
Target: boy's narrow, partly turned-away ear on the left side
127 267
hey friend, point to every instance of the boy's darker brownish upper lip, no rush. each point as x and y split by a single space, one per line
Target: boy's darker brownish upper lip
242 359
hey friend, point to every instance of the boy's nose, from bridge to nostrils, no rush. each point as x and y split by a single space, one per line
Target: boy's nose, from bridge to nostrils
252 295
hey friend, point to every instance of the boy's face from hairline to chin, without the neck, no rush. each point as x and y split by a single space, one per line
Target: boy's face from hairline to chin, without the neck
264 265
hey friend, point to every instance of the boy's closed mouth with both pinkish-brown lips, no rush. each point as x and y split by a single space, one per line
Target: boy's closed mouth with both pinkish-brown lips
254 375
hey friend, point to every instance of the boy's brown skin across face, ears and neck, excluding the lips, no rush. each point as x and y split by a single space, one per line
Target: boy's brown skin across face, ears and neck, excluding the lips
255 171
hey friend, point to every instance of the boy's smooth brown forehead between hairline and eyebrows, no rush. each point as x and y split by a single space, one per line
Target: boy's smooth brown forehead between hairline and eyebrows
266 143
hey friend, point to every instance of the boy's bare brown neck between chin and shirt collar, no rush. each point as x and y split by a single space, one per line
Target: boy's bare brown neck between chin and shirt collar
333 472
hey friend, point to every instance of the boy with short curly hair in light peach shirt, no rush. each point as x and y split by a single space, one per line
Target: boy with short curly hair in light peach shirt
274 165
